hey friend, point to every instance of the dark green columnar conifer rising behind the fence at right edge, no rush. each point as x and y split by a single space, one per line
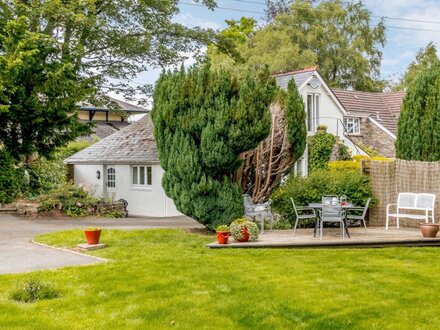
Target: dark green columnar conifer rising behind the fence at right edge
418 134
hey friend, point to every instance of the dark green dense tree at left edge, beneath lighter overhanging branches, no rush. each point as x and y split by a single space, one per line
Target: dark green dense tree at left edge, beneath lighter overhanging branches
38 93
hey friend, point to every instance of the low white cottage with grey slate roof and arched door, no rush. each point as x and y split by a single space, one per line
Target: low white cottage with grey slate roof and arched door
125 165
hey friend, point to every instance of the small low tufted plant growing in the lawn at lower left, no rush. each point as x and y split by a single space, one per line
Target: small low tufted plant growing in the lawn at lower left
34 290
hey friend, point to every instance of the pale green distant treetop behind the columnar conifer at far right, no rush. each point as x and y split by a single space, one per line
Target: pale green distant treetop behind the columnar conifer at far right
425 59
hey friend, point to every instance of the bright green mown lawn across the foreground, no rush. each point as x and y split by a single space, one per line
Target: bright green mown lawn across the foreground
161 279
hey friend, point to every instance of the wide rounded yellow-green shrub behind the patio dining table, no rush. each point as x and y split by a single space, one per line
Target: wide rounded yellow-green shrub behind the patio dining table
305 190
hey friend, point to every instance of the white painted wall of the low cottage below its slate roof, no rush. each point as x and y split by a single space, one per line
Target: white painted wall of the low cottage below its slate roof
149 201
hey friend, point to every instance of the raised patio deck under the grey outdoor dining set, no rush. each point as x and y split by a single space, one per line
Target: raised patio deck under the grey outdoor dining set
377 237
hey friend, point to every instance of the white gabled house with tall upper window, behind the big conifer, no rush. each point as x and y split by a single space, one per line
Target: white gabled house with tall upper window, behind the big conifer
322 108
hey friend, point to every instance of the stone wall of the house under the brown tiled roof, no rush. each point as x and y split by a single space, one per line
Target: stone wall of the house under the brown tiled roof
375 138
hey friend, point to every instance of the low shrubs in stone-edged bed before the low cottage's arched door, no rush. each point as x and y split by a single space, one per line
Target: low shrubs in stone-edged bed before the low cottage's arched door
74 201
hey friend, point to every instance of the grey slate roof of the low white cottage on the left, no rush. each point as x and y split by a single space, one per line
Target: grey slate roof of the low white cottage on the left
133 144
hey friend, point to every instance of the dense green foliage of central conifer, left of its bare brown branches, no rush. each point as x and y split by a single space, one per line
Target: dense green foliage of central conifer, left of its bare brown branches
203 120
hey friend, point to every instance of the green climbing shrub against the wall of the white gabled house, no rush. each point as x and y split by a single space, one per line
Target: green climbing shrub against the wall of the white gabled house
320 149
